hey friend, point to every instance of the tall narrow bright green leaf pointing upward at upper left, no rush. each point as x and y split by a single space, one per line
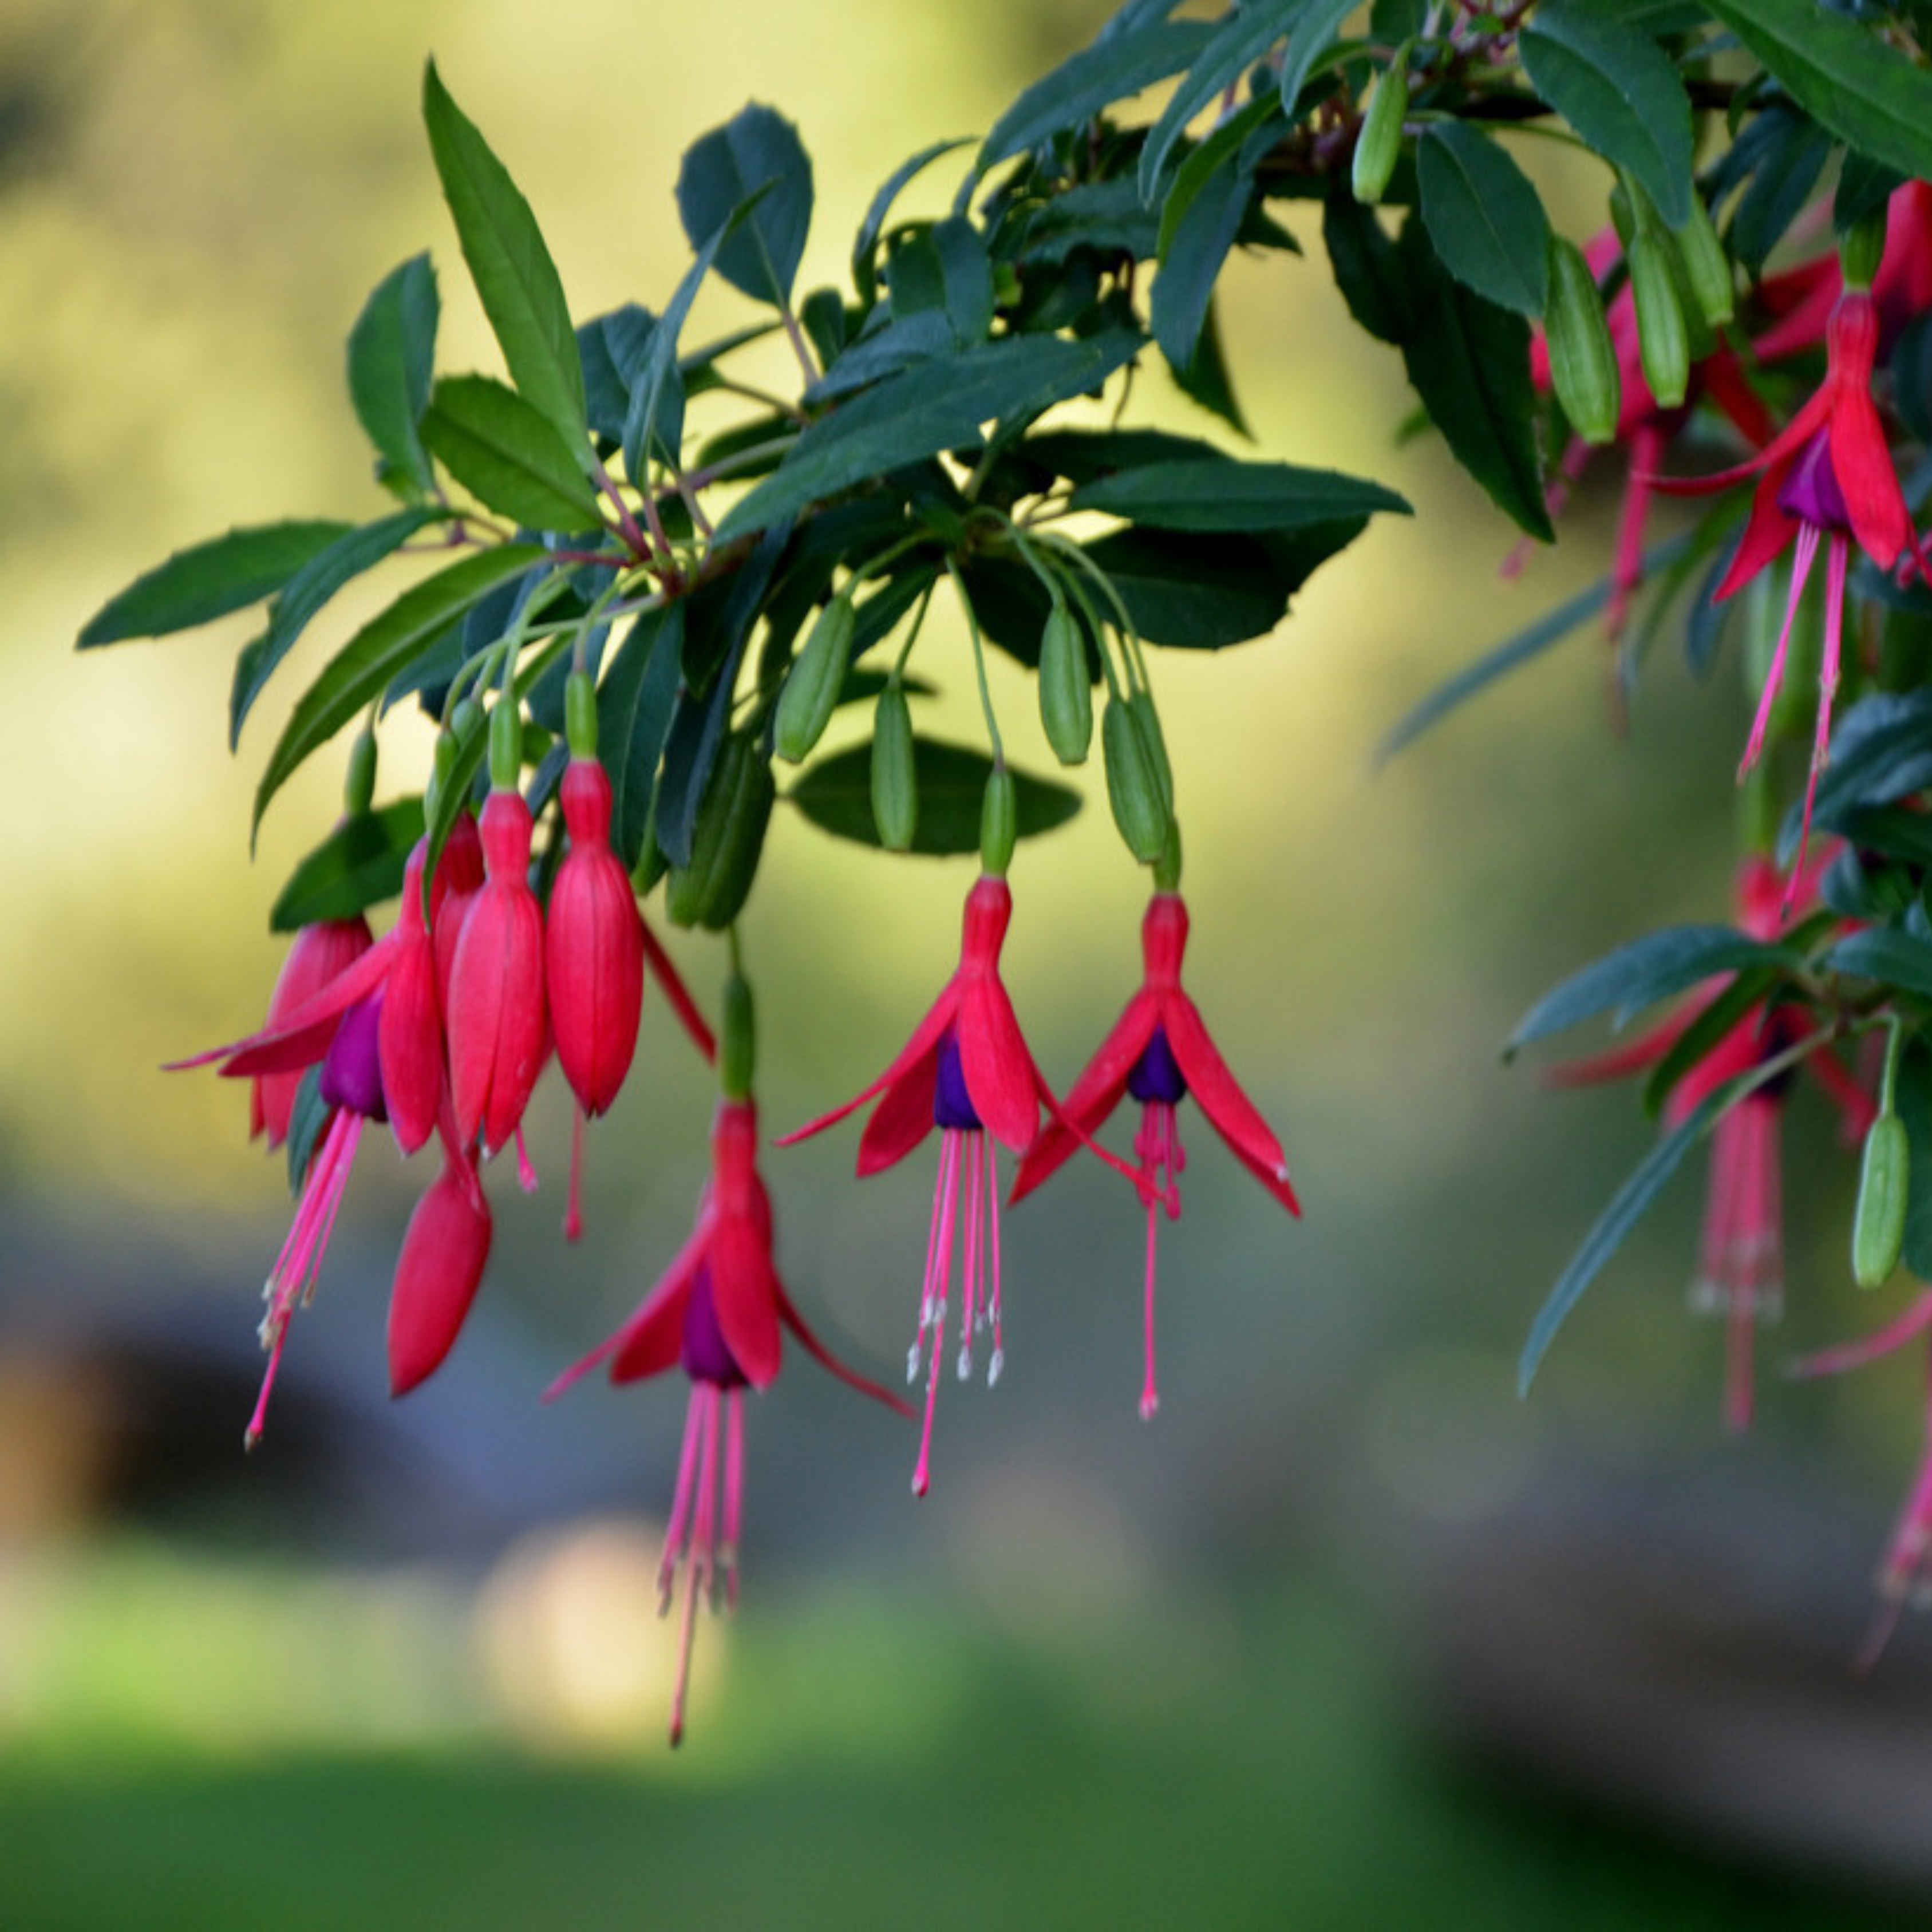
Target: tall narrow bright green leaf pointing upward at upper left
509 264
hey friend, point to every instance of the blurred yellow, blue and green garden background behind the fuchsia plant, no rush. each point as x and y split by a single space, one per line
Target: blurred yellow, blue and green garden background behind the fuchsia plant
1348 1635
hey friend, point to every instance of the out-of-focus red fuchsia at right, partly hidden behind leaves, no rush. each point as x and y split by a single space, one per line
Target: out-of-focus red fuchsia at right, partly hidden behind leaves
1742 1251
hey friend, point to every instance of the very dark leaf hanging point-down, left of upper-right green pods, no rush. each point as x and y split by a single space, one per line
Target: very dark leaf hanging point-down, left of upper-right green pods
1471 366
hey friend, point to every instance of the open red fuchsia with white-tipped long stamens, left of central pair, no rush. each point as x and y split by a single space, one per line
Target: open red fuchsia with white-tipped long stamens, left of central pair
965 1071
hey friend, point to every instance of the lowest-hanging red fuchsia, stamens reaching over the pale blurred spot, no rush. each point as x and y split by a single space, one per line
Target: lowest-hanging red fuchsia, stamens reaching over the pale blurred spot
718 1315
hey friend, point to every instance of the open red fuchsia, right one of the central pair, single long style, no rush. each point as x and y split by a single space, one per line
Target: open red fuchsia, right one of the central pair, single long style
1160 1052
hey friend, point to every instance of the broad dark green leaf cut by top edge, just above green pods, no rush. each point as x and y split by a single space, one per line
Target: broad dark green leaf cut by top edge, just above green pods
1618 90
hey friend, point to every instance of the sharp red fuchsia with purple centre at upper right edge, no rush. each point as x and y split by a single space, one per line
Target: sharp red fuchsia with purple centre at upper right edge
1827 478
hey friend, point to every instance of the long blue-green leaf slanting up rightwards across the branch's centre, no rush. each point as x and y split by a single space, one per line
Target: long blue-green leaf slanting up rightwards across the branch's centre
936 407
